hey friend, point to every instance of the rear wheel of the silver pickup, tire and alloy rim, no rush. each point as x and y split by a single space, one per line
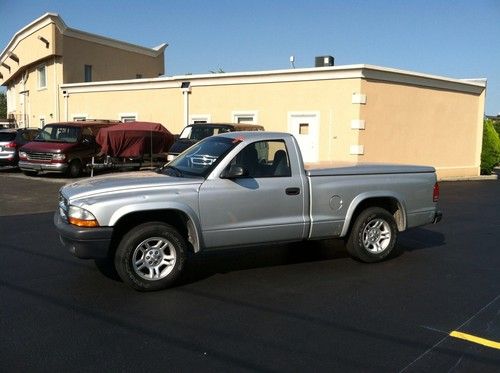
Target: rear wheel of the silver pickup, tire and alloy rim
373 236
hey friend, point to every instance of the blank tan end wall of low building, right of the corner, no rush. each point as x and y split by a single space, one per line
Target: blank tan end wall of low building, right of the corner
410 124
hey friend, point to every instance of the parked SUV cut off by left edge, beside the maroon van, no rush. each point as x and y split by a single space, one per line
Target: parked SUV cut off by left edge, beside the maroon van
11 140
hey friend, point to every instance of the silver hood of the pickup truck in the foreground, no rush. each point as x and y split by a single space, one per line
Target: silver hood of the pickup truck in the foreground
128 181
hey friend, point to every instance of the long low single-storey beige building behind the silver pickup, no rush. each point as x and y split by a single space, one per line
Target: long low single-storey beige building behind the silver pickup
347 113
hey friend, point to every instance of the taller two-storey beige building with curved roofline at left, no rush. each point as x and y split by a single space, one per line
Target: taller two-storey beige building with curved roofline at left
46 54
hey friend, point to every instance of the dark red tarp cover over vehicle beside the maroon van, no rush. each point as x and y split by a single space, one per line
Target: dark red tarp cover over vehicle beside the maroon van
134 139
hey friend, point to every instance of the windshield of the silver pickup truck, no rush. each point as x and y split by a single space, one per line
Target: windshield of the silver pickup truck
201 158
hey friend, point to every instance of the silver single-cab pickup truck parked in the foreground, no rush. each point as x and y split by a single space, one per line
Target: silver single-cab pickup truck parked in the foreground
239 188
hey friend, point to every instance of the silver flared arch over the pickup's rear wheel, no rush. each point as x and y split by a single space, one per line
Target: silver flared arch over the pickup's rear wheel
391 202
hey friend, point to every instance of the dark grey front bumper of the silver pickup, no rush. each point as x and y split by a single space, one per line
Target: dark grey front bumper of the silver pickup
84 243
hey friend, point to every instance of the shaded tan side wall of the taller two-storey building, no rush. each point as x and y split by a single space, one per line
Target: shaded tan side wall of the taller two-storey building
107 63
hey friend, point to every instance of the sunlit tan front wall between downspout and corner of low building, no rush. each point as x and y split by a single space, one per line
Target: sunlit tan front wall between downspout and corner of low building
274 101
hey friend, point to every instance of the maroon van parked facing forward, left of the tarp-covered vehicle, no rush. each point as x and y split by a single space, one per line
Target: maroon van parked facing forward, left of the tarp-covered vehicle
62 147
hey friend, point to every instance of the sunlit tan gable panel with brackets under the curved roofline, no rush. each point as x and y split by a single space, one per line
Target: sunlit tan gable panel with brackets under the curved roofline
30 50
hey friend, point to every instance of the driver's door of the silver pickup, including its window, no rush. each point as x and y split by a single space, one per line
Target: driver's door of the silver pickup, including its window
264 203
